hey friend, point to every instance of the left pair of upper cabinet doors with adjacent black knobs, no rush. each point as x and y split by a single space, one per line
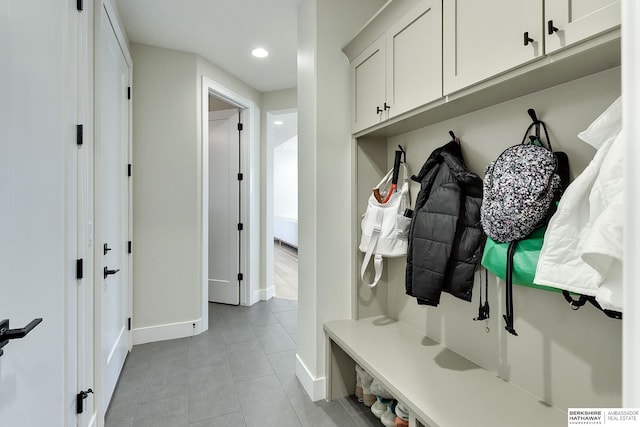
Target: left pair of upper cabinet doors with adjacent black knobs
402 69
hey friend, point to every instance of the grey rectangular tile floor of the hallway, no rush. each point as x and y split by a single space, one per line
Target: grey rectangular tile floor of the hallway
219 378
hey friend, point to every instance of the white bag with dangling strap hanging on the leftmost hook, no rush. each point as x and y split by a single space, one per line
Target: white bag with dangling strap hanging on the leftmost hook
385 229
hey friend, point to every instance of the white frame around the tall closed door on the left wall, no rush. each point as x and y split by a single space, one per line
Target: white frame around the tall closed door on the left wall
100 7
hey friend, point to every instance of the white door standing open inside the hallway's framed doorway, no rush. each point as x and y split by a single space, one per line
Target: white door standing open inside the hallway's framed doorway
224 207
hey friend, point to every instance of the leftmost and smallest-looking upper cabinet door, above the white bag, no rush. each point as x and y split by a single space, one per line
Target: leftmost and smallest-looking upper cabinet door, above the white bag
367 71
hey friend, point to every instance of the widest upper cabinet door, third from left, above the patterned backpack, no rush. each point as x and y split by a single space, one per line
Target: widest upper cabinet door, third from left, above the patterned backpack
485 38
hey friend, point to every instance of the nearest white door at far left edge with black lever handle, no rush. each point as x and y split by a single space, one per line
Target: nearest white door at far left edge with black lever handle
38 210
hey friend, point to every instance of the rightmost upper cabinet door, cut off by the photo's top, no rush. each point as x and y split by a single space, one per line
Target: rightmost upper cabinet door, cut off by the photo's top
577 20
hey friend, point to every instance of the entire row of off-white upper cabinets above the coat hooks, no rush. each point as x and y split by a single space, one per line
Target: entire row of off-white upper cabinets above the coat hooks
420 57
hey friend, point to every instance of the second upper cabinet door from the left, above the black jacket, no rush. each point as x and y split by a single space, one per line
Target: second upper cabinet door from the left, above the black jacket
414 58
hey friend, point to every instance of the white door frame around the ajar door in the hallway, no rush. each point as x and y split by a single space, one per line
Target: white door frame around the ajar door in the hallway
250 199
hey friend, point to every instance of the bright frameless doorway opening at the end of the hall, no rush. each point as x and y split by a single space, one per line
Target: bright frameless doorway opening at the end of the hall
282 128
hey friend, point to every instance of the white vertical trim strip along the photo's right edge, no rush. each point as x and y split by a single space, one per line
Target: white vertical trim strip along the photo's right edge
631 130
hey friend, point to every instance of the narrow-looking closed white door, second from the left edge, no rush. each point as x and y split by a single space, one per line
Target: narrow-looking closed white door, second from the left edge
112 207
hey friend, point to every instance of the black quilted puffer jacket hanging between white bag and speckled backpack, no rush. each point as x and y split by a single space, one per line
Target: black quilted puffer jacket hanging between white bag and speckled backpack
446 234
